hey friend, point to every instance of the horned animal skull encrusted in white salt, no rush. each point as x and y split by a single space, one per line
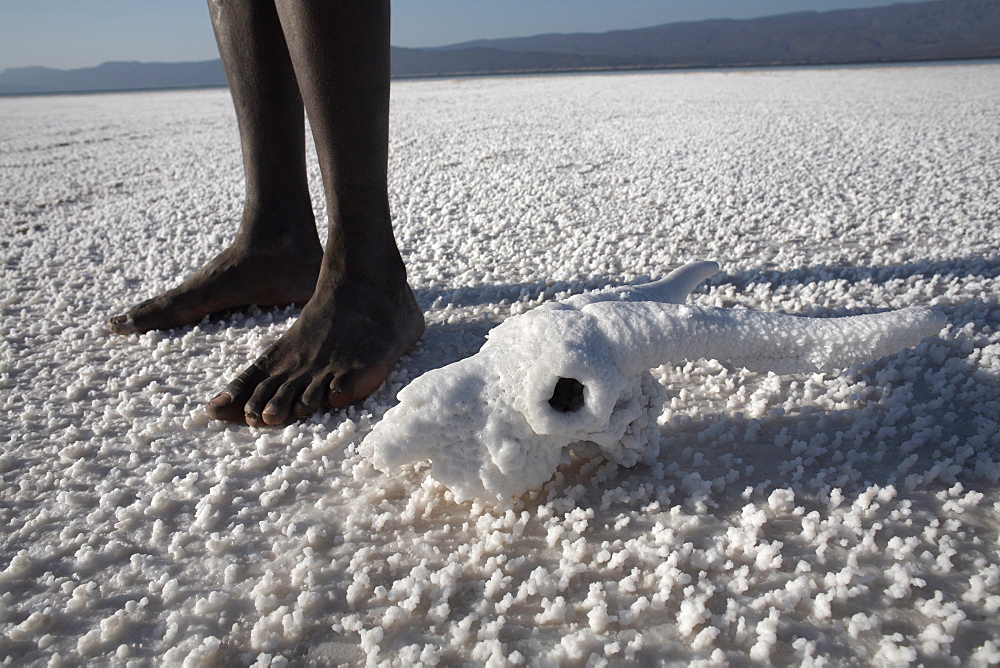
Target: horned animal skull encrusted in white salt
575 375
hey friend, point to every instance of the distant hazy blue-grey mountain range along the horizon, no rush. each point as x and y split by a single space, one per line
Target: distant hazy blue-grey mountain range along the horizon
938 30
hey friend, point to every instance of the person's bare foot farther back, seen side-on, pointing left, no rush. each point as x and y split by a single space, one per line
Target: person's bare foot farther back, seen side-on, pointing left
233 279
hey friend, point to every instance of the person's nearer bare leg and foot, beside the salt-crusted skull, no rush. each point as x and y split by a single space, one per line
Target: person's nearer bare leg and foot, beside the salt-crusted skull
362 316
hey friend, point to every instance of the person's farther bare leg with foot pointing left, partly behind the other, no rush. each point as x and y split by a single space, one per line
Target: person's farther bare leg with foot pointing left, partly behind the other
275 258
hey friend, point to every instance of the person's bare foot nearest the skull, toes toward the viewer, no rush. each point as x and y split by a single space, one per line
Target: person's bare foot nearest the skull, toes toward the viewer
338 351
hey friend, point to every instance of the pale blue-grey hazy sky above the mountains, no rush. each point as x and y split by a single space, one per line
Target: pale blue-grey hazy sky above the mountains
82 33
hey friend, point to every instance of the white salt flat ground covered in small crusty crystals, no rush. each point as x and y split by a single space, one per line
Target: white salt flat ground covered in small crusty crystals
848 517
